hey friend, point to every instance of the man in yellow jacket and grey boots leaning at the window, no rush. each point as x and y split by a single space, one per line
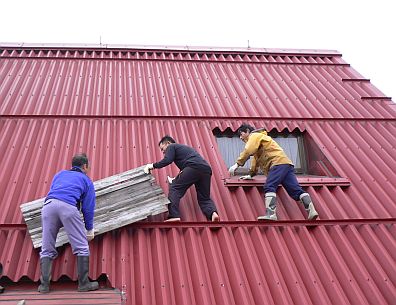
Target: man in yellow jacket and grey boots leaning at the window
279 169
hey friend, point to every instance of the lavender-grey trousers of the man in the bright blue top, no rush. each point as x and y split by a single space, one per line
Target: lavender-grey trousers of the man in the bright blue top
56 214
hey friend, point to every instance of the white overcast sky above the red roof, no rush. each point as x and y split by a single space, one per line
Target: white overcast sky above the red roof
363 31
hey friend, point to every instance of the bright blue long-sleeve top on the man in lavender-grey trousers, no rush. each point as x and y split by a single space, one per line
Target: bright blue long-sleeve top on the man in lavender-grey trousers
72 186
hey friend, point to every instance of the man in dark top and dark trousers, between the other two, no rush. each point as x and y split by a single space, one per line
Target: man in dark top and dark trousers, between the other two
193 170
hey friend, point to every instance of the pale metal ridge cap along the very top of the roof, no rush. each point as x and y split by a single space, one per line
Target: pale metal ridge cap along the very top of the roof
153 48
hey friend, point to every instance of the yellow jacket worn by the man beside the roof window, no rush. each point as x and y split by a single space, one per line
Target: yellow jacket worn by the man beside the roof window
265 151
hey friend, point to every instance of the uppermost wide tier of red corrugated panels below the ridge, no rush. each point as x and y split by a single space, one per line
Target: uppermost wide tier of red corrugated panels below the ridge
180 88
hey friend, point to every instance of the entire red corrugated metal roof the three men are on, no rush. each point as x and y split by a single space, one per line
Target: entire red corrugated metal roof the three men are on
115 104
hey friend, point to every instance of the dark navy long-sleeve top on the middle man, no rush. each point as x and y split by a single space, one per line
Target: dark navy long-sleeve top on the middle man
183 156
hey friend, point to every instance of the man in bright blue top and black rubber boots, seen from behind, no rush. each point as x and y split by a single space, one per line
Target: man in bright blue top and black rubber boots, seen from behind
70 190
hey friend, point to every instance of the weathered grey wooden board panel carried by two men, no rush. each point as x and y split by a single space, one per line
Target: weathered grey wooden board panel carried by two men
121 199
